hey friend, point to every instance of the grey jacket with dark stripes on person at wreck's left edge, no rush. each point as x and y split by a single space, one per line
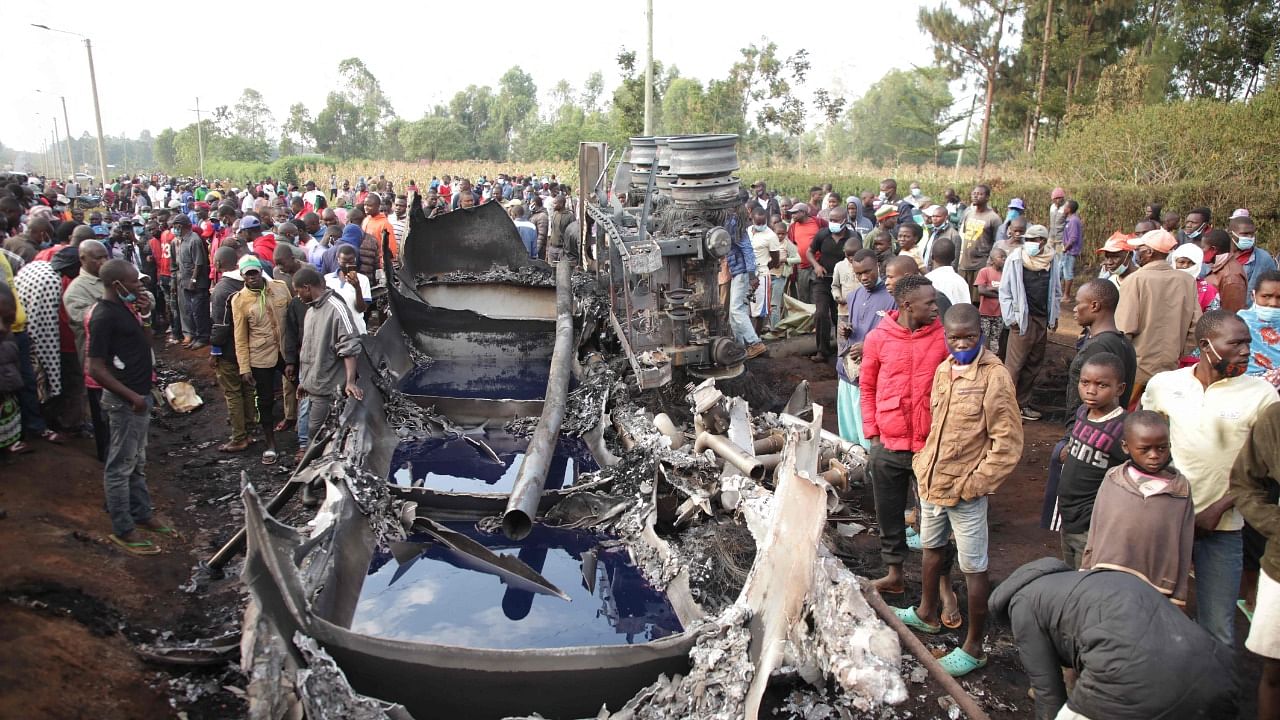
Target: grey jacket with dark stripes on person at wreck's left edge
328 336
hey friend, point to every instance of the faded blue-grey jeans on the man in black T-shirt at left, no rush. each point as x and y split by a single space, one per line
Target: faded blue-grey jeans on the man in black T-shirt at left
125 475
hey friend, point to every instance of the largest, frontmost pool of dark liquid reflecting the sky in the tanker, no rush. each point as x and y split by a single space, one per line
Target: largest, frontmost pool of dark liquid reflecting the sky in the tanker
432 600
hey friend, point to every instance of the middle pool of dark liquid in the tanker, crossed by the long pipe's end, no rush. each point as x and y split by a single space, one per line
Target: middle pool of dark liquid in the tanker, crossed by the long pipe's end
458 466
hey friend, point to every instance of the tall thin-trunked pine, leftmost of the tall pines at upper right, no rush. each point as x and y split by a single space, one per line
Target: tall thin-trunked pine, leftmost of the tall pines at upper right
971 45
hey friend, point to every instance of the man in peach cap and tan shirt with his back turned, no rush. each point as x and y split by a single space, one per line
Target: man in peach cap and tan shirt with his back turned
1158 309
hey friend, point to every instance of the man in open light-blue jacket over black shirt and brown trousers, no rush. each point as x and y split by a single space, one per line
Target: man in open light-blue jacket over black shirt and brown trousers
1031 297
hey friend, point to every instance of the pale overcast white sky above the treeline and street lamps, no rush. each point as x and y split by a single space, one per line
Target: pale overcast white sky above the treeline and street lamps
153 62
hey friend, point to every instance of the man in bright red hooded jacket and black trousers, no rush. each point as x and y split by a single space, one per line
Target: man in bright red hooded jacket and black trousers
899 361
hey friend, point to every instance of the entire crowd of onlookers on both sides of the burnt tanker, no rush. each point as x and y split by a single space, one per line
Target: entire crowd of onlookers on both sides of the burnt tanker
936 316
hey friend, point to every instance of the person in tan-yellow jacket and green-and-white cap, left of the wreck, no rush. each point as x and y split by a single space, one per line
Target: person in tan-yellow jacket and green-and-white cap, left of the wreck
258 313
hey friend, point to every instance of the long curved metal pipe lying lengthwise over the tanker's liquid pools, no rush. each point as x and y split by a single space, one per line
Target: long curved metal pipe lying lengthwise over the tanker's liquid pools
525 495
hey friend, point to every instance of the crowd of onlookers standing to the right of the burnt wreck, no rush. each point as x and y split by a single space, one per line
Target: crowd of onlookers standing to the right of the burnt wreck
938 317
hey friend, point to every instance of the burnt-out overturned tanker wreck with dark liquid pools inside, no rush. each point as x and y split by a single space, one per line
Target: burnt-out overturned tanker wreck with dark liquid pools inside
551 503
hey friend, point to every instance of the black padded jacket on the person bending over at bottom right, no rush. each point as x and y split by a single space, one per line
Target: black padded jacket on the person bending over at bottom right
1137 657
